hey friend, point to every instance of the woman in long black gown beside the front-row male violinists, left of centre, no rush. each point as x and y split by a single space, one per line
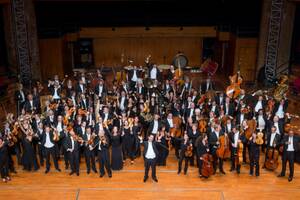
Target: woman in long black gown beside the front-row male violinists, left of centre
116 150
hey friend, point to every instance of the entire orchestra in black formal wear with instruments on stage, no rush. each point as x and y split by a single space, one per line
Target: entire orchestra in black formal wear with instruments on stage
89 117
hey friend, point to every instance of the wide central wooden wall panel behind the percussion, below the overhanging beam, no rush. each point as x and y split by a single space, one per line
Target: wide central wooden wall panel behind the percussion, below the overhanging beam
162 50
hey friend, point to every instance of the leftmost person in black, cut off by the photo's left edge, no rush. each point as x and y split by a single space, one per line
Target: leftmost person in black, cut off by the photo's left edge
4 169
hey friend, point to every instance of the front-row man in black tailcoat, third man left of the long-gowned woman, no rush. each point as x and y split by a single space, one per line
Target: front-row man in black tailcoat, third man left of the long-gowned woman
72 147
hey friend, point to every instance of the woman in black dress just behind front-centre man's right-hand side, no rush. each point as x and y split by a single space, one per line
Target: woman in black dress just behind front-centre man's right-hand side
163 150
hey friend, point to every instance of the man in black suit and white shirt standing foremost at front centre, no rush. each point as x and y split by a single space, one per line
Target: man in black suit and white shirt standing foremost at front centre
150 156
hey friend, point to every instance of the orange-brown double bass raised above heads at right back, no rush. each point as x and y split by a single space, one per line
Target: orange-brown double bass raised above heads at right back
234 89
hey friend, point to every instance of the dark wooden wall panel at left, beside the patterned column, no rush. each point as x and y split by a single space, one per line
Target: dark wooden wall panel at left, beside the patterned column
51 57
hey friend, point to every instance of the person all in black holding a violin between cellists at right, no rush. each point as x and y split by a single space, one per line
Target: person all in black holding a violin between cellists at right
254 152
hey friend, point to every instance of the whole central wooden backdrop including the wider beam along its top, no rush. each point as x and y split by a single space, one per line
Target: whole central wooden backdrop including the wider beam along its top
111 46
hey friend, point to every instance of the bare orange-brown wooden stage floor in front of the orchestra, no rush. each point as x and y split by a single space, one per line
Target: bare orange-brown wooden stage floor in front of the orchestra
128 184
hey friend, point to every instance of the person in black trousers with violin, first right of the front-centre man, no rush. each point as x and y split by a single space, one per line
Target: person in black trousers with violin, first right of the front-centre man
185 143
